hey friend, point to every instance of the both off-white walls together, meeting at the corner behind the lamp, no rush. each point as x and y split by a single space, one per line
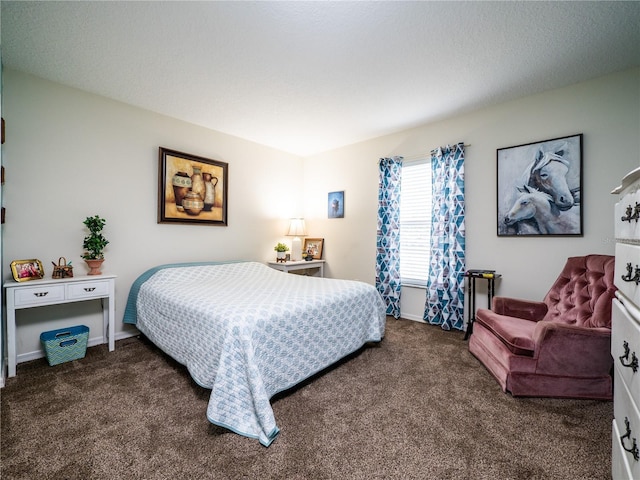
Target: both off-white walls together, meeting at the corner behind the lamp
70 154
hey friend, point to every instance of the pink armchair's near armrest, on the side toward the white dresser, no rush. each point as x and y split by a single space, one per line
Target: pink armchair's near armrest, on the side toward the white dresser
563 349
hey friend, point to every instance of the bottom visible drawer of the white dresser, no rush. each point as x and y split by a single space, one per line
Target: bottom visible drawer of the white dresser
625 410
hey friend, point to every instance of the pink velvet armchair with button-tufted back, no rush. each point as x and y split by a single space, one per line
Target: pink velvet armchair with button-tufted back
559 347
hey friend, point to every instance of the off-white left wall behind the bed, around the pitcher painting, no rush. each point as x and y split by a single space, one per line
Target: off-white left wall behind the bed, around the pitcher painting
70 154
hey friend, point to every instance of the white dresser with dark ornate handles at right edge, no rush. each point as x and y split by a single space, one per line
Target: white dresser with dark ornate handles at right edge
625 331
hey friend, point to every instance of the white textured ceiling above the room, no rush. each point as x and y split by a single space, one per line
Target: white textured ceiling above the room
307 77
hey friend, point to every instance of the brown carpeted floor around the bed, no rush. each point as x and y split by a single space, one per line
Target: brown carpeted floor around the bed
416 406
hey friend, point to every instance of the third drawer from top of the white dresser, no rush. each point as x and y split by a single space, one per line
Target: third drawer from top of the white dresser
625 345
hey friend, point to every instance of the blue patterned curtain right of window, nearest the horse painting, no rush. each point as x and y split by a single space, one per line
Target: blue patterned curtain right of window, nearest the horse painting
445 285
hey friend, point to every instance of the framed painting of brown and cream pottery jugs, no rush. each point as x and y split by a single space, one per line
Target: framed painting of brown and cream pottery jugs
191 189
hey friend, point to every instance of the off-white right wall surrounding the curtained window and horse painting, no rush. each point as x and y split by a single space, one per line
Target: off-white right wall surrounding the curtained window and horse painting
605 110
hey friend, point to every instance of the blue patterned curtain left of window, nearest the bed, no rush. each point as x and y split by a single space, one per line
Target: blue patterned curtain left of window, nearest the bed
388 234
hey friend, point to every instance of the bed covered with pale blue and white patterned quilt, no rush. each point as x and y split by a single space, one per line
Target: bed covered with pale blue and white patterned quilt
247 331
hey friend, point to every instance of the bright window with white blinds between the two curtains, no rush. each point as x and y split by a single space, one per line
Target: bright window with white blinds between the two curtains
415 222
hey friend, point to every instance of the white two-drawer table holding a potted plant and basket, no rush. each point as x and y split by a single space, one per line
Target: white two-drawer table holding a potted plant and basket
39 293
